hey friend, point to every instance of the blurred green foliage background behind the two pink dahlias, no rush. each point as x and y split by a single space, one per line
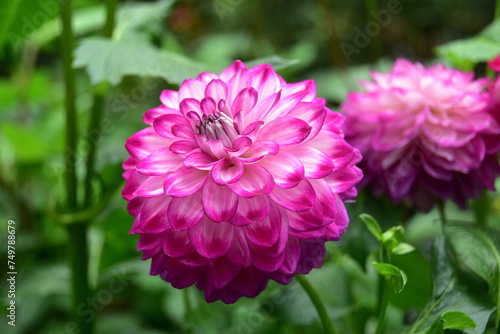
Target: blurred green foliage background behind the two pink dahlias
311 39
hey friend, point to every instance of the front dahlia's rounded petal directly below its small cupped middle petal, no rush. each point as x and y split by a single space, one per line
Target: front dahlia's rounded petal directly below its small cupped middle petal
219 202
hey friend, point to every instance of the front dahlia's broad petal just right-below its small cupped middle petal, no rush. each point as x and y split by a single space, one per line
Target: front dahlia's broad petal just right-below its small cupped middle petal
255 180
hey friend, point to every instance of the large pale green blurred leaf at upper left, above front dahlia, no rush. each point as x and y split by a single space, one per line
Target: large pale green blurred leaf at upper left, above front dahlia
106 60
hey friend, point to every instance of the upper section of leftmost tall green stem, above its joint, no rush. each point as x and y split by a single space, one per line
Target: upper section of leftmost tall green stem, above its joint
69 84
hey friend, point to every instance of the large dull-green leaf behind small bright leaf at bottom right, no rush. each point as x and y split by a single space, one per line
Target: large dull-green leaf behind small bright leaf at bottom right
450 293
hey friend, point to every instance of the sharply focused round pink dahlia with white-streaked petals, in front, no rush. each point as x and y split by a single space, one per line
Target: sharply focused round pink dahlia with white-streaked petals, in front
240 178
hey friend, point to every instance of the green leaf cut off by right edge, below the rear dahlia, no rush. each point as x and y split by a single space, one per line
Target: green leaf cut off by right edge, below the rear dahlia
480 251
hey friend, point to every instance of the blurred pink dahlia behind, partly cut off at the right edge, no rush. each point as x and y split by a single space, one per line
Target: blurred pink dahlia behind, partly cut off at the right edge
425 134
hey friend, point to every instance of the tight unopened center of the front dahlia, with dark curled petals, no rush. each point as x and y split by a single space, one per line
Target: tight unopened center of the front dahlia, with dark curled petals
218 126
